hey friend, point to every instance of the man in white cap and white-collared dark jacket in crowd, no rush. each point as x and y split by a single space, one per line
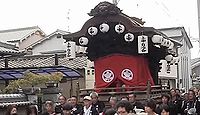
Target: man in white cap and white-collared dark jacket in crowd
88 109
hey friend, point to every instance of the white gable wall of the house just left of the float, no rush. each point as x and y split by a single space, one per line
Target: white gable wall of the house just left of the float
51 44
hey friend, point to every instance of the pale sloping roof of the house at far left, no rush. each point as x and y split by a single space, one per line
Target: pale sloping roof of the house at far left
17 34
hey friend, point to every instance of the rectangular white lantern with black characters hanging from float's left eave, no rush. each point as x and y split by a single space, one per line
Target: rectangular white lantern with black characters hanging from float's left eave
71 48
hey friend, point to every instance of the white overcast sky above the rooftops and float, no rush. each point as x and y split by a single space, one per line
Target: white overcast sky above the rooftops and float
70 15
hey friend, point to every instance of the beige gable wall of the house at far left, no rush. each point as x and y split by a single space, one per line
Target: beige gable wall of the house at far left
34 37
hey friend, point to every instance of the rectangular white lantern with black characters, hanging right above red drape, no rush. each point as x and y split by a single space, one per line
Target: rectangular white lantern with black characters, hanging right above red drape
142 44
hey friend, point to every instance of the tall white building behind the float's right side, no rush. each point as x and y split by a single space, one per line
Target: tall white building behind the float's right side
184 64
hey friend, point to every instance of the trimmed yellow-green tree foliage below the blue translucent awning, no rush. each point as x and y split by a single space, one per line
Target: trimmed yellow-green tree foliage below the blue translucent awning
31 79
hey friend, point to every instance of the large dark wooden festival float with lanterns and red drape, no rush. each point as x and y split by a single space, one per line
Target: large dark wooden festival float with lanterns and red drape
125 53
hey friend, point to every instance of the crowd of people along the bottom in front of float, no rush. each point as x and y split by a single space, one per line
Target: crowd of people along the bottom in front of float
174 103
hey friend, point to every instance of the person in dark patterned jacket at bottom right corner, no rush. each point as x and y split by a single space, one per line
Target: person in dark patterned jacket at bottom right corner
192 106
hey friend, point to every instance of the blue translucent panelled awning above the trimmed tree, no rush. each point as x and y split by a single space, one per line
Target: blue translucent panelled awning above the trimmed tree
17 73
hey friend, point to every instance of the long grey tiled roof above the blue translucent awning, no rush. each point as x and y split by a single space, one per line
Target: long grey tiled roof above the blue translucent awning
45 60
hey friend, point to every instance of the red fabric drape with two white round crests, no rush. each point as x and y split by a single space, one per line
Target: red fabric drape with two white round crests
131 70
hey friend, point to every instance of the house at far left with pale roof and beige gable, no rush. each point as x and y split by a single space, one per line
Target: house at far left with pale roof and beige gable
22 37
